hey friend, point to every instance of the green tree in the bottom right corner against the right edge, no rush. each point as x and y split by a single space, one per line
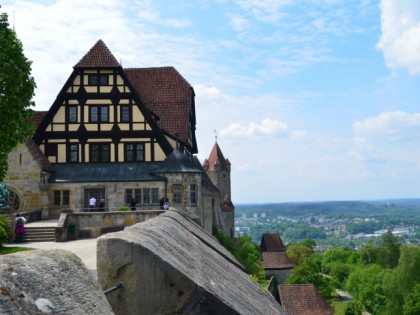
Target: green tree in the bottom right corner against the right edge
400 281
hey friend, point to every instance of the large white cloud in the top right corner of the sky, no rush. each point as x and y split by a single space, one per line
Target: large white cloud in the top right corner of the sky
400 39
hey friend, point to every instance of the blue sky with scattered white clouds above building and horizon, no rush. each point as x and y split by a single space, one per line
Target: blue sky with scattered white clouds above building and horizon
310 100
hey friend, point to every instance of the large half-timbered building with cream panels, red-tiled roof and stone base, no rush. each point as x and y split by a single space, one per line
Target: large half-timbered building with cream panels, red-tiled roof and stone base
114 134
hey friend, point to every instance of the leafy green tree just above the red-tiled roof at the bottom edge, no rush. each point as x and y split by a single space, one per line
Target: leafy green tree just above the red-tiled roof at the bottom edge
309 271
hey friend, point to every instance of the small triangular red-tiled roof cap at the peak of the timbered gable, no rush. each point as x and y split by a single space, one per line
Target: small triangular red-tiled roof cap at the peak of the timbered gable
99 56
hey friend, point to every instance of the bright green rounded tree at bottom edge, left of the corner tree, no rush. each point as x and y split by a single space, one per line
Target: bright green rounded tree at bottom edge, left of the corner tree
365 285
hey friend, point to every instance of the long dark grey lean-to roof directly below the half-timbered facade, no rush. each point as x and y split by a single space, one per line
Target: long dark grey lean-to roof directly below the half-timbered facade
105 172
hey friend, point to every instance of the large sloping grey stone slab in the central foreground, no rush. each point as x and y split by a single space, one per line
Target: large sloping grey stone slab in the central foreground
169 265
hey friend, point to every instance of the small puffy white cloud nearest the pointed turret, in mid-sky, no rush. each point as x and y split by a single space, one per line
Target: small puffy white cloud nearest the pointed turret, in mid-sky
267 127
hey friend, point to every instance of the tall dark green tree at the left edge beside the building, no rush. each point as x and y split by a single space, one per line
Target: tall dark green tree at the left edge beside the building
16 91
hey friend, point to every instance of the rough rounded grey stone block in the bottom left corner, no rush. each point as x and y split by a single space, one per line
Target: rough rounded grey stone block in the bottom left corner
49 281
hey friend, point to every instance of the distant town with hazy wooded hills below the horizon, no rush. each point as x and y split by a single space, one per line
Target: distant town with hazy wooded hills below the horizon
331 224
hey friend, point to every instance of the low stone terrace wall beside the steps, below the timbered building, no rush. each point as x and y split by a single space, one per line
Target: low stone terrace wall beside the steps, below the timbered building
72 226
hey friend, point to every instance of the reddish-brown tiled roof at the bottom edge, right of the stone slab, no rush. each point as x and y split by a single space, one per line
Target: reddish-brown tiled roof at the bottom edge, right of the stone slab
303 299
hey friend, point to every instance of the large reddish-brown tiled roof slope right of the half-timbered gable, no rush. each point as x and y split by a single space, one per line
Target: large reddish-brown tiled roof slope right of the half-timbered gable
168 95
